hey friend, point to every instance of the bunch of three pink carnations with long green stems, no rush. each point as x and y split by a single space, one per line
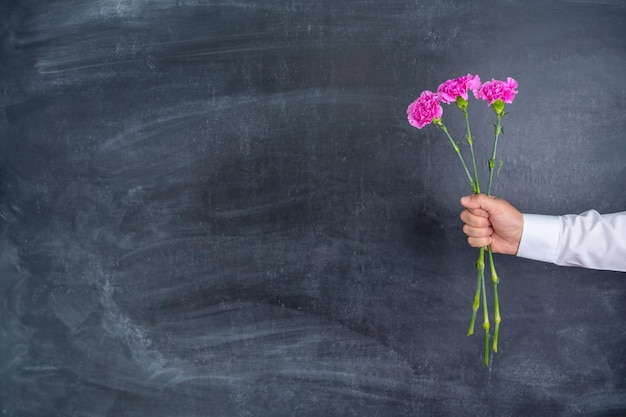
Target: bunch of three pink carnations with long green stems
427 109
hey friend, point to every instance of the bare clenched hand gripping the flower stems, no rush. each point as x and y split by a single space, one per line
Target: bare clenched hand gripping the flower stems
492 221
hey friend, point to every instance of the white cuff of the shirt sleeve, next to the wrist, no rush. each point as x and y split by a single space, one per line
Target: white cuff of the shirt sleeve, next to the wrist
540 237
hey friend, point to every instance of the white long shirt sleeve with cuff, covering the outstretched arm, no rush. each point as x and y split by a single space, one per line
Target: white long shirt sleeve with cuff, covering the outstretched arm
588 240
